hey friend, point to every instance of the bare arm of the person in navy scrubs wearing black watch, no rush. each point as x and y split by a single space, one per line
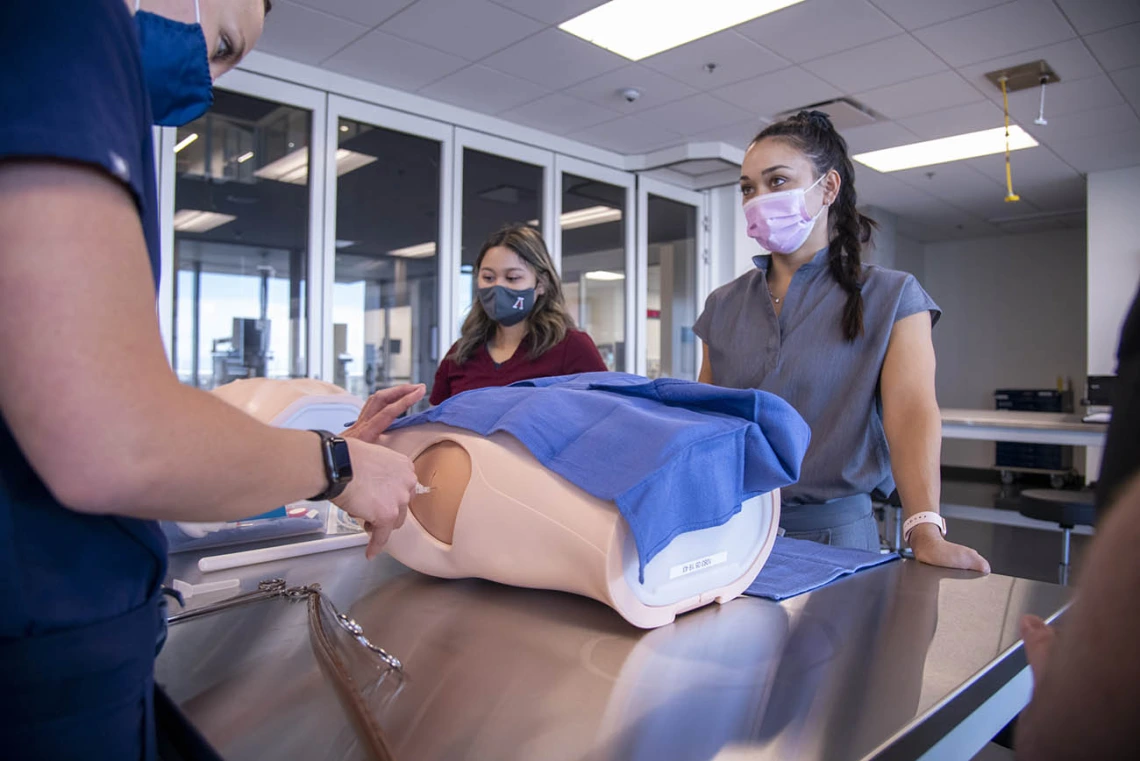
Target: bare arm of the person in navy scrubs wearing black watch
86 388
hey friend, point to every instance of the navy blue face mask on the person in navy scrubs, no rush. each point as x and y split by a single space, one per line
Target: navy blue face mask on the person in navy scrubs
177 68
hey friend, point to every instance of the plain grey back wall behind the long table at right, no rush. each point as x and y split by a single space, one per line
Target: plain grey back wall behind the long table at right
1014 316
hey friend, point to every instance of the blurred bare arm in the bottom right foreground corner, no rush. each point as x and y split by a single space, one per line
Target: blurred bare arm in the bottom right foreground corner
1088 682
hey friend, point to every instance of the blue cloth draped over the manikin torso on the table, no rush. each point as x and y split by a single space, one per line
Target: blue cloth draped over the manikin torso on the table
675 456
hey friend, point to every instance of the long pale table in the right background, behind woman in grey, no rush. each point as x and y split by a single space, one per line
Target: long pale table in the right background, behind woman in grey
1028 428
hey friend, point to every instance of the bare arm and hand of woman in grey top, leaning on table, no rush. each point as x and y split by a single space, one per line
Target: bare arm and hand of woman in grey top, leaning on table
914 428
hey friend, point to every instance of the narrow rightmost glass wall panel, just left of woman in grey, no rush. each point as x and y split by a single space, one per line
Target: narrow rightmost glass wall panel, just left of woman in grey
672 346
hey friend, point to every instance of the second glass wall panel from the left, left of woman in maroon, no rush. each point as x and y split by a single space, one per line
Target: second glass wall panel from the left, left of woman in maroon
386 293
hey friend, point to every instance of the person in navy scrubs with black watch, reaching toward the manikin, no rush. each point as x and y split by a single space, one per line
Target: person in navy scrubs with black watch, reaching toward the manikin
99 439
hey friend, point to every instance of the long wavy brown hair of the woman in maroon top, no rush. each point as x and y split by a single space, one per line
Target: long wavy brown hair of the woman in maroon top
548 324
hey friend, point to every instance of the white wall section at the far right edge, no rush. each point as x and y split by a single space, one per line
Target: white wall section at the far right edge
1114 261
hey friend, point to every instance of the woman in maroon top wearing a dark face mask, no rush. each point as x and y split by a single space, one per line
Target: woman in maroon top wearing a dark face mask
519 328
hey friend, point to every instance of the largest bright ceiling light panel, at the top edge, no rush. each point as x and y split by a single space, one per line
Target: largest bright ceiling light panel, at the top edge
639 29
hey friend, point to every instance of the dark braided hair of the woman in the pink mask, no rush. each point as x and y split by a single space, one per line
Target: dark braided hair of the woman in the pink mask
816 137
